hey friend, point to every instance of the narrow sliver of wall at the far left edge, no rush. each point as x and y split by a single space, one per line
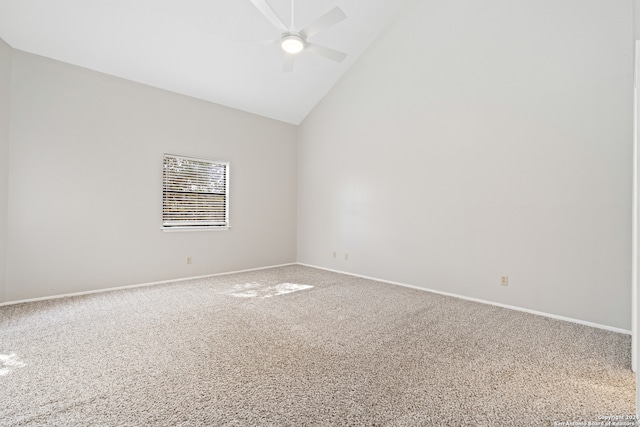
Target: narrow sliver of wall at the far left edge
5 104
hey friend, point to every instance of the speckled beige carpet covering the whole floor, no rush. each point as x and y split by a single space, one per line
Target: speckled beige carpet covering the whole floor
295 346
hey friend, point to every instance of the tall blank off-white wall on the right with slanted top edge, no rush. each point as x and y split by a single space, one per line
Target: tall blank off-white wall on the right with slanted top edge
480 139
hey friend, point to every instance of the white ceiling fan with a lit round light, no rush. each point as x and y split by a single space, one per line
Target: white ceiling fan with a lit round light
295 41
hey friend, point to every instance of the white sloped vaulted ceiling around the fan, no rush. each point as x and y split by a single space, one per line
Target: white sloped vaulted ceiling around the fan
199 48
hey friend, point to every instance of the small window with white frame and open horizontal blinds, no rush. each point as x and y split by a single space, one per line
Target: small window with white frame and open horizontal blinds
195 193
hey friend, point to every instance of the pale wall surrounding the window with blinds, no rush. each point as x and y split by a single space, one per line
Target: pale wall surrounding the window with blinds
85 193
